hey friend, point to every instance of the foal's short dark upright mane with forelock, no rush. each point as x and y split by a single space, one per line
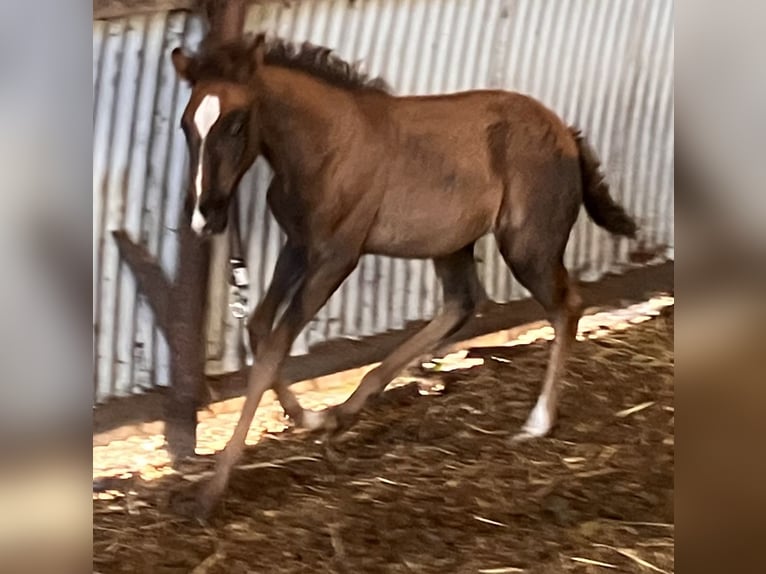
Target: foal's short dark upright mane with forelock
233 61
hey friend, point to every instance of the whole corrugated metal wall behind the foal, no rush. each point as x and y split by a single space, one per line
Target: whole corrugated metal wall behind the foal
605 65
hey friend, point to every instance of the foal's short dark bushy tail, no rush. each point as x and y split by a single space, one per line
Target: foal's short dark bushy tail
601 207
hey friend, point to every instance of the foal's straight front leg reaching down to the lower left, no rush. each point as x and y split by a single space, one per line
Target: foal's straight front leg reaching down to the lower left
323 276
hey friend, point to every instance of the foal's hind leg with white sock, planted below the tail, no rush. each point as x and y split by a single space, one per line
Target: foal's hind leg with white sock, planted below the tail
538 265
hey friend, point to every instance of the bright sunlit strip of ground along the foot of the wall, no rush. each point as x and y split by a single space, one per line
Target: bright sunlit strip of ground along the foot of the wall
146 457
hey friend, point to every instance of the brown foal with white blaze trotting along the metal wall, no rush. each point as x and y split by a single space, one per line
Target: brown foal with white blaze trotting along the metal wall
358 170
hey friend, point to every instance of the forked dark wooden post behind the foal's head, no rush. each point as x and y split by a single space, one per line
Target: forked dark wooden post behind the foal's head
179 306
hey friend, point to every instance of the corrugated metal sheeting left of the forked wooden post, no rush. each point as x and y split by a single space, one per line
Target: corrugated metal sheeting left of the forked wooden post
138 156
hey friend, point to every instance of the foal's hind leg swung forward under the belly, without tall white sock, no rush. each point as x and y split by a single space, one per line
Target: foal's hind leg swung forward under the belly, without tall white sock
462 291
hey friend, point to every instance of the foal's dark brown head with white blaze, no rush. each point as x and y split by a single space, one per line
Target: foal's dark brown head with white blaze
220 126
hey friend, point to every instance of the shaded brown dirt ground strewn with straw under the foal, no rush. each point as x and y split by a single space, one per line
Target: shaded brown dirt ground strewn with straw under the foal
433 484
